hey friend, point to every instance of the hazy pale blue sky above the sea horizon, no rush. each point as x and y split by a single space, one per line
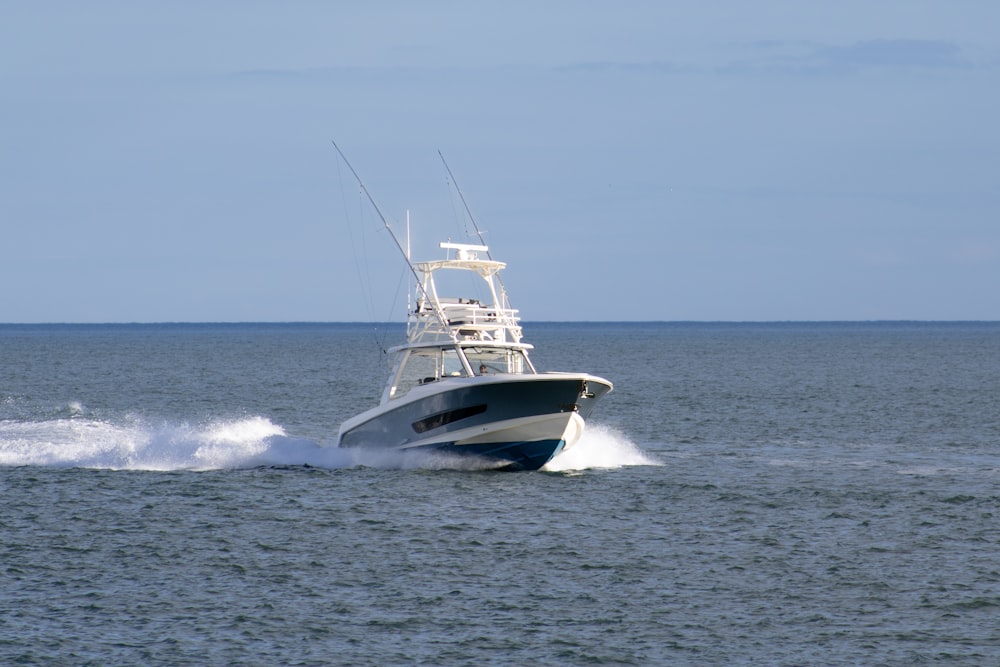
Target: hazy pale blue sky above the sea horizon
629 160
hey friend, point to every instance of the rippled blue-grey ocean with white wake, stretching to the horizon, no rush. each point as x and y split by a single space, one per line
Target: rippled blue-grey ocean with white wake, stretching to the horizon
769 494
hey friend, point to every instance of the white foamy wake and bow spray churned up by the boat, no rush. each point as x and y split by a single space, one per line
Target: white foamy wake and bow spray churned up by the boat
248 443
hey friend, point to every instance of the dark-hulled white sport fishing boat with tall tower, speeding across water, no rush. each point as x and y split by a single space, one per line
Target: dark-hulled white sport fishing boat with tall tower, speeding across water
463 383
